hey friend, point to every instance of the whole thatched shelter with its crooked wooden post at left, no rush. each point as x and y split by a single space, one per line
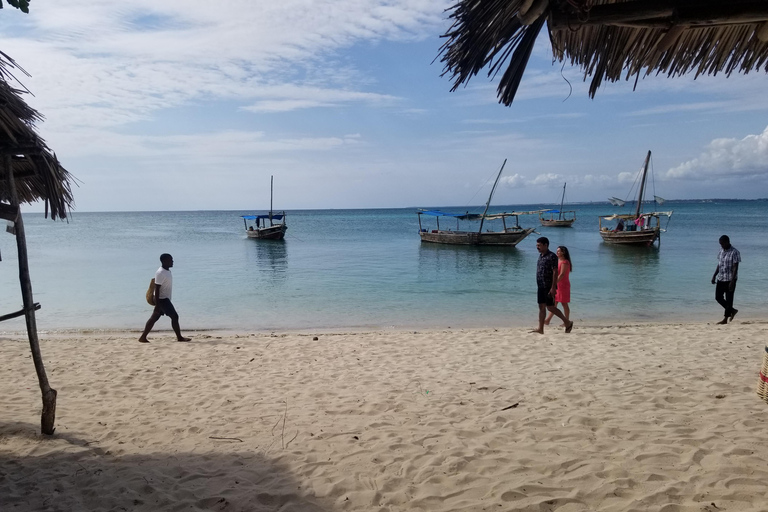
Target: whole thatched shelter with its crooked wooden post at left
29 172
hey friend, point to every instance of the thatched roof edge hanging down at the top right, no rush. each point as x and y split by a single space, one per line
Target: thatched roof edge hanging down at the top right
608 39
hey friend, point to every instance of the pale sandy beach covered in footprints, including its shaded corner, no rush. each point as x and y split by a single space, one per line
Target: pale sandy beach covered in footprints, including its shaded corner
616 418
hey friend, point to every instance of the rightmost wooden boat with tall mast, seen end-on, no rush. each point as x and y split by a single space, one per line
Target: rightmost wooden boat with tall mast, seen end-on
634 229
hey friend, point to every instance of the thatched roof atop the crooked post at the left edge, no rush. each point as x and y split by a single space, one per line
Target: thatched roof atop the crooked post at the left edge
37 173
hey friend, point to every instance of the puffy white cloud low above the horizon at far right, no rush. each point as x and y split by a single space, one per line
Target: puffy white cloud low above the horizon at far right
727 158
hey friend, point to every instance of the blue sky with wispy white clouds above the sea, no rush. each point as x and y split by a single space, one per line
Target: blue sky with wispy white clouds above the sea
192 105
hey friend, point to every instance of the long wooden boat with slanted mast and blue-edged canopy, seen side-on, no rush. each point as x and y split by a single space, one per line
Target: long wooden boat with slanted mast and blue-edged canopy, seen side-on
509 236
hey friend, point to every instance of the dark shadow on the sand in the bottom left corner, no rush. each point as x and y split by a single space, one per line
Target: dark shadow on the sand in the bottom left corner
64 473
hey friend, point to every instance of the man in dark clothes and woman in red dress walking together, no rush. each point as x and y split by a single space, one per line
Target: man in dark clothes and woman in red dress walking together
554 285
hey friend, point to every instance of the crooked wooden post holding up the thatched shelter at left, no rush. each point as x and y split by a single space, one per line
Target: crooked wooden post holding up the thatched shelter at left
49 394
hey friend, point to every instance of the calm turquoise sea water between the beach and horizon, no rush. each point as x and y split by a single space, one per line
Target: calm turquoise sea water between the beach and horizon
361 269
